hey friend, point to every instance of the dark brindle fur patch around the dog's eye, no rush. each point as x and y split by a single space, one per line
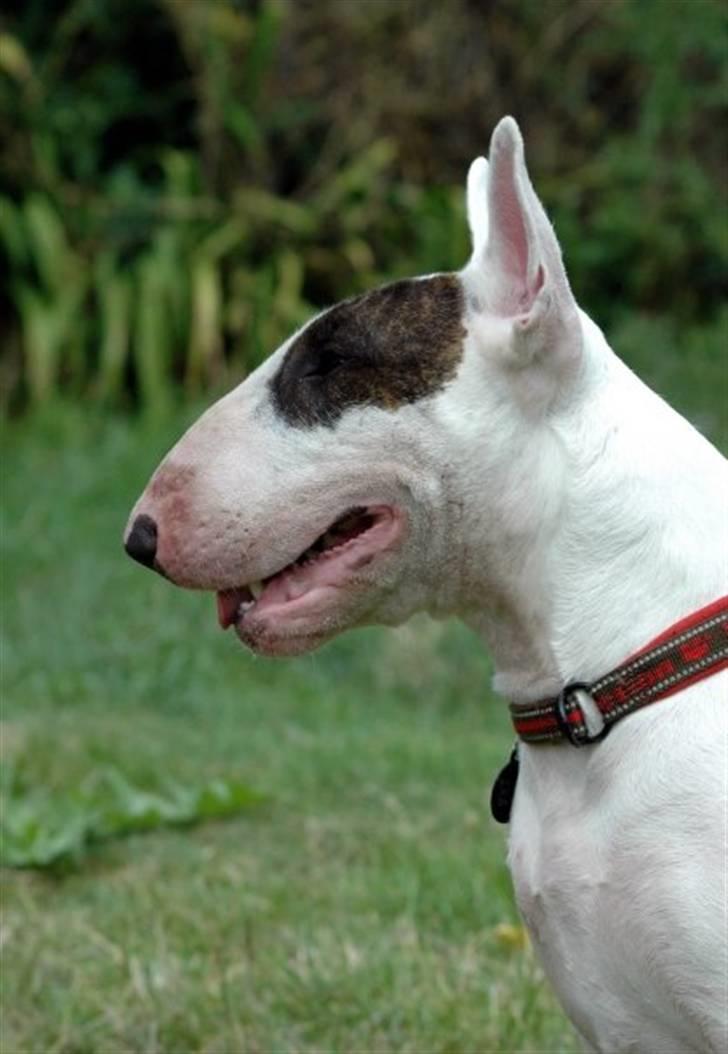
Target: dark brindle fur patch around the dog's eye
392 346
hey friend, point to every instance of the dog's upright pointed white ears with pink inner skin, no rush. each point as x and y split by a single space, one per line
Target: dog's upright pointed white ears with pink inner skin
519 267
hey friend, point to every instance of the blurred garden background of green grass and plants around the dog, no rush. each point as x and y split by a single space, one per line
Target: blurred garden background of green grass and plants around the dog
182 184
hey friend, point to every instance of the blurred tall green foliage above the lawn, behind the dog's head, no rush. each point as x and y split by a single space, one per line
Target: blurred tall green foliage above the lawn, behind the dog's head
184 182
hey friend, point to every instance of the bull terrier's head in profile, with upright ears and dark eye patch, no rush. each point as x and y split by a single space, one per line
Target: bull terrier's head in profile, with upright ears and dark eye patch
359 475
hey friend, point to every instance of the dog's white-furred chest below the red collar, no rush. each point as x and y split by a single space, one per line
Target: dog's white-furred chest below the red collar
596 870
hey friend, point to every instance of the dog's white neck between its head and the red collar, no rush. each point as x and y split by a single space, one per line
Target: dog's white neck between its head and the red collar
636 541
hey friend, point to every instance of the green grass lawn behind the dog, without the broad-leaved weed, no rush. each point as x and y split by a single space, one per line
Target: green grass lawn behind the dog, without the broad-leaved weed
363 906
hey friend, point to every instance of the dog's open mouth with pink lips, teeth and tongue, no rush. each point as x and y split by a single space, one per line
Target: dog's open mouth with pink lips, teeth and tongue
348 545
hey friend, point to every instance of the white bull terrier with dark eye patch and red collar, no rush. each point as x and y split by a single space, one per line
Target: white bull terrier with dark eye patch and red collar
467 444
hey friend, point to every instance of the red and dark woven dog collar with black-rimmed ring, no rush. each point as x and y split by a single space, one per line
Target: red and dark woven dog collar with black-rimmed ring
690 651
